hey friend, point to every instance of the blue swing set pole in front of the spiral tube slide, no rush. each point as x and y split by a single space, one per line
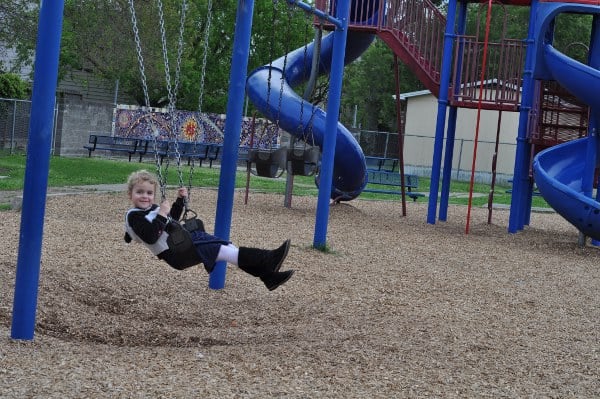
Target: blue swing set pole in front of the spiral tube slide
331 122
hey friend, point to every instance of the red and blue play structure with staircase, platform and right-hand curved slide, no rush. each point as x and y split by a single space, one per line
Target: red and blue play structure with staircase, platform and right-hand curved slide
551 91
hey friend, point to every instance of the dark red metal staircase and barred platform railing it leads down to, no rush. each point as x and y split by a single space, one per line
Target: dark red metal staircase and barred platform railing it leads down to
414 30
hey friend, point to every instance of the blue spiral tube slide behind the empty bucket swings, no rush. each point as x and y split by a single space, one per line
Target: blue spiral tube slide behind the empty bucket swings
270 89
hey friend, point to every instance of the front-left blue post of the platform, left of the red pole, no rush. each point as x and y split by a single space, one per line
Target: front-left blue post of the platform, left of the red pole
438 145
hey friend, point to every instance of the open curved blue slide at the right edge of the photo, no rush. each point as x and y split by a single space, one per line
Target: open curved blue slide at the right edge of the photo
563 172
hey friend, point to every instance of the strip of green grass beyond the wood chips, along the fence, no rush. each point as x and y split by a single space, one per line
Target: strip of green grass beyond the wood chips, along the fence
90 171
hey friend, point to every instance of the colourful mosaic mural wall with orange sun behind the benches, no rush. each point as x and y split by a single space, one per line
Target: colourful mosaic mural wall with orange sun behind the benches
146 123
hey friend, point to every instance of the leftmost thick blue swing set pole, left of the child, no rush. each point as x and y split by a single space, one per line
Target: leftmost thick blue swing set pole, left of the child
37 167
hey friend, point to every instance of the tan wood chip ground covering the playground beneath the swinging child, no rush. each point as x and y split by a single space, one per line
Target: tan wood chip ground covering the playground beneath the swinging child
397 309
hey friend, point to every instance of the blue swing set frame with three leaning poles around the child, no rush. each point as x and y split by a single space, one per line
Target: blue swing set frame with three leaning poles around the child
38 154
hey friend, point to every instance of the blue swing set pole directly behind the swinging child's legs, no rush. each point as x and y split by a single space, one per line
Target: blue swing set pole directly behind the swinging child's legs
233 128
